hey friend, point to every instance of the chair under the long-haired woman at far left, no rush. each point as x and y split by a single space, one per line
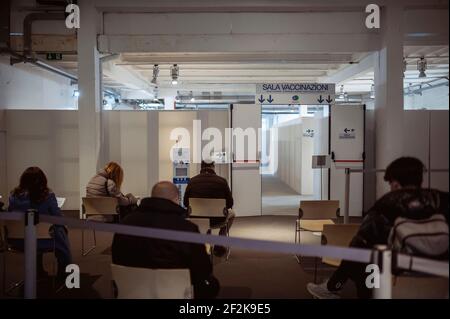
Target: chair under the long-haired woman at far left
15 230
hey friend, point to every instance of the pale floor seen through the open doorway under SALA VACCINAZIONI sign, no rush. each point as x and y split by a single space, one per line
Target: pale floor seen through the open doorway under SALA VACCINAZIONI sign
278 198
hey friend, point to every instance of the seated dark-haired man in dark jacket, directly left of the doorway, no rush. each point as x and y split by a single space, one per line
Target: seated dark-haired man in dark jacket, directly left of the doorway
208 184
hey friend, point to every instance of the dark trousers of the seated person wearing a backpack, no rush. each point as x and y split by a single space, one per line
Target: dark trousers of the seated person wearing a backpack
353 271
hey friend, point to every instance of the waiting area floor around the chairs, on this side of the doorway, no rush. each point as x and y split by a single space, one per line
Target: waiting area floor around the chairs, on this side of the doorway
247 274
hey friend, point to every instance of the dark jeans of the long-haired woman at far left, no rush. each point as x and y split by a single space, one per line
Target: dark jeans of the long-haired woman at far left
60 244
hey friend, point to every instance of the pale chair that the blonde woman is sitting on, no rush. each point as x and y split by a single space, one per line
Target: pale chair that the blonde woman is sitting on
96 208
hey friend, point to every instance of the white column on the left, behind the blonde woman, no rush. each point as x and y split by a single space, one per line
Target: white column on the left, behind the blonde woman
89 102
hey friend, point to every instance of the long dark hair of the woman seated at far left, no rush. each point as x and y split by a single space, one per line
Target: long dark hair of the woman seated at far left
34 183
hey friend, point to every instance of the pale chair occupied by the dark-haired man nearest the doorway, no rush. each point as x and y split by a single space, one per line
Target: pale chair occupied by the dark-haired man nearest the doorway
210 208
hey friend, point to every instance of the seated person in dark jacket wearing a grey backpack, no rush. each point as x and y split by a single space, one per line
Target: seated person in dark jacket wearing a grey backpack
404 176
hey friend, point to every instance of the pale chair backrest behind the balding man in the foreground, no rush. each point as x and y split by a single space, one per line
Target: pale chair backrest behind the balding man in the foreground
144 283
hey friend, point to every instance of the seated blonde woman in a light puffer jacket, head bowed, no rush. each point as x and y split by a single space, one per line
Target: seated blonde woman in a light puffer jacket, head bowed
107 183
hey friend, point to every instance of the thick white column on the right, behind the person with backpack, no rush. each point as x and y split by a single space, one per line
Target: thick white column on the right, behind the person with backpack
389 91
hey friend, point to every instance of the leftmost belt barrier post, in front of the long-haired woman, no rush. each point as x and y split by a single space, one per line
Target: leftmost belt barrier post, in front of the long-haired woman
30 245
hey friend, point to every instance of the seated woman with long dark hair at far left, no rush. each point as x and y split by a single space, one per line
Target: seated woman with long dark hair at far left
33 193
